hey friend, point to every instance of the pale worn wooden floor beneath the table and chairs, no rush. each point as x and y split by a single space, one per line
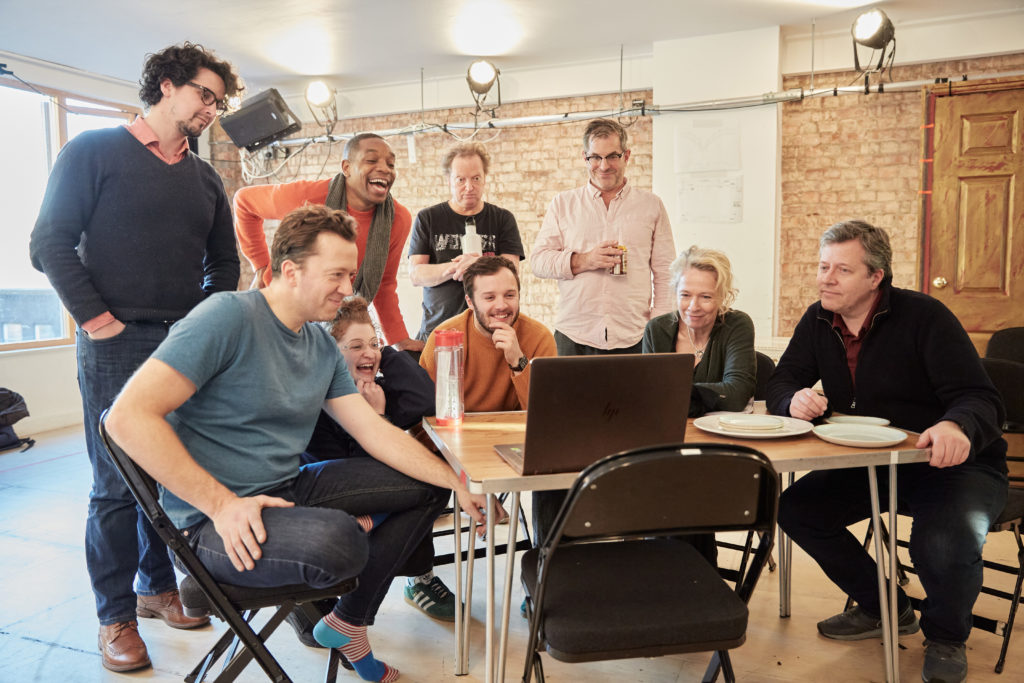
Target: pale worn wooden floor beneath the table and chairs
49 627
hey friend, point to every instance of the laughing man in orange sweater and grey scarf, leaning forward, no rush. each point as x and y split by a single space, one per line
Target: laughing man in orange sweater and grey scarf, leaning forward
364 190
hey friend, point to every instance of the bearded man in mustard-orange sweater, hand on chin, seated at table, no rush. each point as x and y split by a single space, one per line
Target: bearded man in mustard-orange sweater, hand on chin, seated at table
499 343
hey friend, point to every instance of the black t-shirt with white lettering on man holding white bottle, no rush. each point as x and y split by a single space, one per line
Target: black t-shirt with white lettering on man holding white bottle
438 233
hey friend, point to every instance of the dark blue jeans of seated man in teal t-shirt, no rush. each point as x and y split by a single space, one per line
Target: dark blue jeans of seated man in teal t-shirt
319 542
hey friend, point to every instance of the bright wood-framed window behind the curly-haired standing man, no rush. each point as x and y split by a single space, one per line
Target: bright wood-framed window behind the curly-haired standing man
38 124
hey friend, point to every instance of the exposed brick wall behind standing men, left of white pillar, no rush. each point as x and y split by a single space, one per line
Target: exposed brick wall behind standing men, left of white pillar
530 165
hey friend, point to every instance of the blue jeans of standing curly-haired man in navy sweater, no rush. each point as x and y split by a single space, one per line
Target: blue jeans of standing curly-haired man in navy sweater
119 541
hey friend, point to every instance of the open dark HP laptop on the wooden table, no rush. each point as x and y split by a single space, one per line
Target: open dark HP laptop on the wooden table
587 407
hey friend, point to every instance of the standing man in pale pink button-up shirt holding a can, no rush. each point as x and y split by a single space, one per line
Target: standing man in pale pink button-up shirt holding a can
610 246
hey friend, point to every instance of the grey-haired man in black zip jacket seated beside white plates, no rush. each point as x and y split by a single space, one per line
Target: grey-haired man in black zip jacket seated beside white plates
899 355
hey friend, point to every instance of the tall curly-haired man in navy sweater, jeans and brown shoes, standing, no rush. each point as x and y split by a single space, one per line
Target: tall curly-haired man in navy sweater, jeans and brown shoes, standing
134 232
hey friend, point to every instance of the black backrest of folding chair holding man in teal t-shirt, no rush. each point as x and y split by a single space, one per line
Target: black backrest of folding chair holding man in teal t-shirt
144 488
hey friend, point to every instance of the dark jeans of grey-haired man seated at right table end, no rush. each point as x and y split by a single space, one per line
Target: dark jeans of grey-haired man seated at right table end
953 509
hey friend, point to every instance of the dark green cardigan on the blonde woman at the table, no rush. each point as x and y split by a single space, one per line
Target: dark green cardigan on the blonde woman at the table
726 377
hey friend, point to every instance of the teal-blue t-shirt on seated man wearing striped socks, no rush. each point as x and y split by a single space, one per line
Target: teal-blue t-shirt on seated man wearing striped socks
260 391
